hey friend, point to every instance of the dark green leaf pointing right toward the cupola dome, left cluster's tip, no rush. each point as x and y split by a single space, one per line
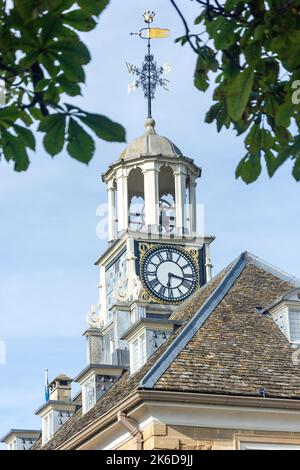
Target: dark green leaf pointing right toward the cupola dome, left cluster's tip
104 127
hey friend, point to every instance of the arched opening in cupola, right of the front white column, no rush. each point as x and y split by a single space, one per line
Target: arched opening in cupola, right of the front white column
166 187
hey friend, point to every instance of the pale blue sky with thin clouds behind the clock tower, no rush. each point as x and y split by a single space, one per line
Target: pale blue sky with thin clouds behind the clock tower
48 241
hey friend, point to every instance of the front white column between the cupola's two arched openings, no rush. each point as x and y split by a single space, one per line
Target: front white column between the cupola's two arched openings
151 196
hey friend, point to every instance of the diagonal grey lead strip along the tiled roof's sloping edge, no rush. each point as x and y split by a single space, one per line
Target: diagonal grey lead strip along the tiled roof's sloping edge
191 328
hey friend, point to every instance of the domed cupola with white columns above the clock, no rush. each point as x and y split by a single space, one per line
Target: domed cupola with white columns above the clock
151 188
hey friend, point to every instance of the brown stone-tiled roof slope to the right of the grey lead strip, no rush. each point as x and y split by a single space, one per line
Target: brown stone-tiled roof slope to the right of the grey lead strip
238 350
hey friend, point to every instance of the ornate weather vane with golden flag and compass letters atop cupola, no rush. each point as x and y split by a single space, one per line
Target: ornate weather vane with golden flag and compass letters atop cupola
150 75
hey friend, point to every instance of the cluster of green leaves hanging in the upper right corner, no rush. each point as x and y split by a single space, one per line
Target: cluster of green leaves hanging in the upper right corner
253 50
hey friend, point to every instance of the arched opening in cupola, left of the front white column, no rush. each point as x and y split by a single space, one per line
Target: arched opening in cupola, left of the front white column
136 200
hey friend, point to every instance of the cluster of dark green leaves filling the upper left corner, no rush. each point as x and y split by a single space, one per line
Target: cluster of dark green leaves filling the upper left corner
42 59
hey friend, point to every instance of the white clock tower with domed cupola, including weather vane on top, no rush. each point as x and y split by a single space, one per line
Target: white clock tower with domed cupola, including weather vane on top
156 256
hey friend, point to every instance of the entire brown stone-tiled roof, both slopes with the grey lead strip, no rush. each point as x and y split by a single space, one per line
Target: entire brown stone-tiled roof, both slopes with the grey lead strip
236 350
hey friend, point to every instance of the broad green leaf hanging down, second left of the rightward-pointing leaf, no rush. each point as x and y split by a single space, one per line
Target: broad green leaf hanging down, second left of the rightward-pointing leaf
54 126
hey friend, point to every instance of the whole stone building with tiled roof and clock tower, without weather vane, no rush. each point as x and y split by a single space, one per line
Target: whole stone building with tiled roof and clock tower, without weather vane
177 359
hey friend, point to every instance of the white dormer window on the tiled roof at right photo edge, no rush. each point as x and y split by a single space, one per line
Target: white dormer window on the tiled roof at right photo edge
285 311
